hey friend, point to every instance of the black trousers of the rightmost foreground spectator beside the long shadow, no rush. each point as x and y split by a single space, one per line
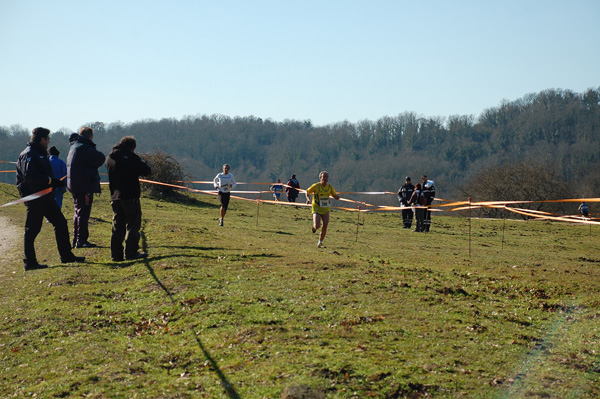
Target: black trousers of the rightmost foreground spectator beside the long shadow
127 221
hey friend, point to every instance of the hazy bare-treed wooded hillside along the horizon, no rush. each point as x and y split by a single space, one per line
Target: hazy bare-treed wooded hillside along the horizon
560 128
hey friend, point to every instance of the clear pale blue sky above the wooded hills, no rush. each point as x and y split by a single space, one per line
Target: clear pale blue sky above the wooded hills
66 63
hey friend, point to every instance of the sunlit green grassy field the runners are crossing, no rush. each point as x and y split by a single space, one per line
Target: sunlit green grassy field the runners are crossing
248 309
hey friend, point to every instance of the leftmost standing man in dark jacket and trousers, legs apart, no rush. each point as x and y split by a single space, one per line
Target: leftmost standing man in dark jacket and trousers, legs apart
34 174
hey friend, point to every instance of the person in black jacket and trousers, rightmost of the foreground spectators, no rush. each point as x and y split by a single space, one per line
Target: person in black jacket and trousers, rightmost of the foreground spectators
124 169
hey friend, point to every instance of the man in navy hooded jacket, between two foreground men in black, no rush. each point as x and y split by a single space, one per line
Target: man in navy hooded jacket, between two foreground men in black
83 180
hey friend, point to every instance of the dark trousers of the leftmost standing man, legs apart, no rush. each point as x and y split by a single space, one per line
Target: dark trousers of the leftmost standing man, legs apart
47 207
